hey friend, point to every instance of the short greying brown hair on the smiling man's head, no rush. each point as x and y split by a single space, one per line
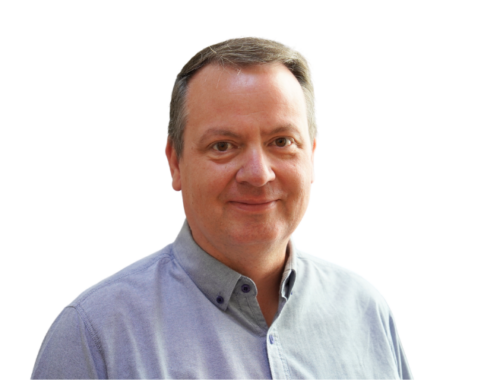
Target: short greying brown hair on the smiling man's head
238 52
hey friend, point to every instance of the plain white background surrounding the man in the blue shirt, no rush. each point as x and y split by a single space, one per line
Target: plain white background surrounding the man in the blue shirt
407 165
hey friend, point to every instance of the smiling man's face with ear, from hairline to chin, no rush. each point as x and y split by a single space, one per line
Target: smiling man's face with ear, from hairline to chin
247 164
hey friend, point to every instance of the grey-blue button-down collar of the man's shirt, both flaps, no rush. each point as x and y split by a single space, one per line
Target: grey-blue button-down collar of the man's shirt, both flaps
216 280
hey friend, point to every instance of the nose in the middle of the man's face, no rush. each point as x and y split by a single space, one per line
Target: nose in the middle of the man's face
255 169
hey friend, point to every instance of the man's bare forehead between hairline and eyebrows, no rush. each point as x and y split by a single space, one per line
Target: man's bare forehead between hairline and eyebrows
220 93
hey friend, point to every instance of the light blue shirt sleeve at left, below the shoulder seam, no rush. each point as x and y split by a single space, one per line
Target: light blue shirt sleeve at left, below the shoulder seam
70 350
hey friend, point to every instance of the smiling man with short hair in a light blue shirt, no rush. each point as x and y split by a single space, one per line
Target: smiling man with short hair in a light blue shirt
232 297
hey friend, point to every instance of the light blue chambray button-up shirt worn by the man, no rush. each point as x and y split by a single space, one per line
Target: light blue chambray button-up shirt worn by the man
180 313
